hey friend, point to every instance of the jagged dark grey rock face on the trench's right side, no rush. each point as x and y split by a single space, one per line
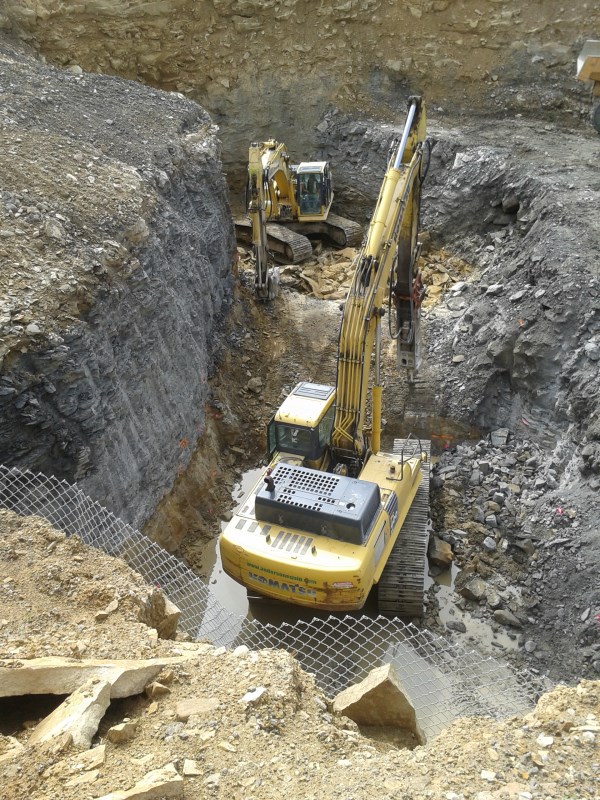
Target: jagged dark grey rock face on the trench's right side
521 342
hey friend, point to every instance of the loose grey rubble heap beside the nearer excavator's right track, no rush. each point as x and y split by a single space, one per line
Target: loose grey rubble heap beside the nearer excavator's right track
522 546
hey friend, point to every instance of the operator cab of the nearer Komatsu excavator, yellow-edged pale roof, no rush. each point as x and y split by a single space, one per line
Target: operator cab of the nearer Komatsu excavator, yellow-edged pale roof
302 425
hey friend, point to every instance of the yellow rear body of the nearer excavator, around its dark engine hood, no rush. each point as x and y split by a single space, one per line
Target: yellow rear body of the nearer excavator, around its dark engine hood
302 567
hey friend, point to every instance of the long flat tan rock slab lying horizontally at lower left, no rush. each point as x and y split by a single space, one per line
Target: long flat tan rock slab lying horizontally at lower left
64 675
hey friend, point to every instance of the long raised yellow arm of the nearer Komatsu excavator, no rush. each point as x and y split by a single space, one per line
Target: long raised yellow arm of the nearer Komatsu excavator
385 270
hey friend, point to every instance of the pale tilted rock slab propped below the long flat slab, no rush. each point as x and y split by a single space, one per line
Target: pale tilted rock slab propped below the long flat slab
79 715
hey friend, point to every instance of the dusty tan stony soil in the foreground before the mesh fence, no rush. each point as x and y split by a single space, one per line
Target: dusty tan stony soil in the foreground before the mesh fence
52 590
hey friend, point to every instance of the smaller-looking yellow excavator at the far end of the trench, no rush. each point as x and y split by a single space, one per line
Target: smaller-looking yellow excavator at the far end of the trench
296 197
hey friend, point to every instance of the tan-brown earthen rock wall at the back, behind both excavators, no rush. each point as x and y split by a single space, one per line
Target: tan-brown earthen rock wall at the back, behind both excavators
270 64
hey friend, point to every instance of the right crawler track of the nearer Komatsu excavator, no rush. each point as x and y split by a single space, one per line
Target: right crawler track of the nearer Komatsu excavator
402 583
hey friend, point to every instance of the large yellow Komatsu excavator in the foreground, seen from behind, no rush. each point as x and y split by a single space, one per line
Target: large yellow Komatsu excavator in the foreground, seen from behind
332 516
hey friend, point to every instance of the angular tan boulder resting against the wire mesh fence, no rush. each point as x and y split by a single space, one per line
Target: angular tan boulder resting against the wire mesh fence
380 700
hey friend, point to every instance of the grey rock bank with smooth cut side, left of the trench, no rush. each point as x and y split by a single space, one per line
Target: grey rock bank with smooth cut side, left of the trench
116 233
